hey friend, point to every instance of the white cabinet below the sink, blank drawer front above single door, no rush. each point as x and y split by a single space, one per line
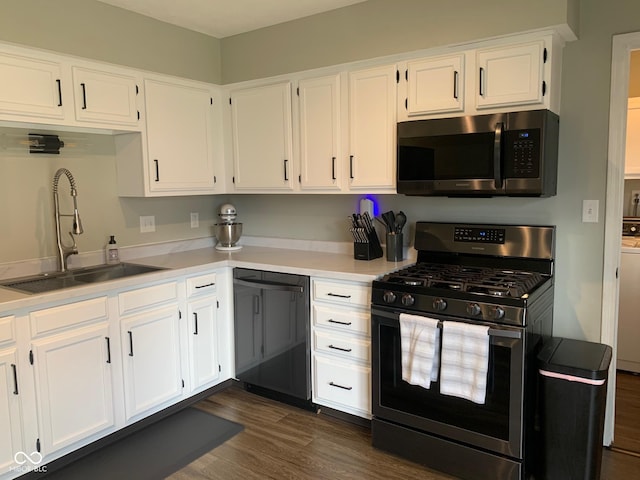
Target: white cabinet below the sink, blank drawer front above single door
73 370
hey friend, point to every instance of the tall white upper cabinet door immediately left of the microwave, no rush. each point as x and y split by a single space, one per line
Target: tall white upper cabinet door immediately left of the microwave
372 129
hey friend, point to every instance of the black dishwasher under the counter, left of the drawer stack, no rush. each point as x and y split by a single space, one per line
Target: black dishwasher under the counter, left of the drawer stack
272 339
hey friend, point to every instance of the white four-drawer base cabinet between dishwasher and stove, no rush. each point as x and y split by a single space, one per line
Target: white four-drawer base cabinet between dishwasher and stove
341 346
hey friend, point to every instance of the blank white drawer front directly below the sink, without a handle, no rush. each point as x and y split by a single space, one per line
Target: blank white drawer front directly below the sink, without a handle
73 314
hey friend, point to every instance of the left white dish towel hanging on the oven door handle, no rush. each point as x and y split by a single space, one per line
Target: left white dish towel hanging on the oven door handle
420 348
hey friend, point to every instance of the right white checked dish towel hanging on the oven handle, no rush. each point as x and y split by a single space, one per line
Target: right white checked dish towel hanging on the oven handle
464 361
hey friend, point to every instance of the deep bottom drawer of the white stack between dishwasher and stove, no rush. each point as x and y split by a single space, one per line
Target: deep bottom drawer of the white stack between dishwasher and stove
342 383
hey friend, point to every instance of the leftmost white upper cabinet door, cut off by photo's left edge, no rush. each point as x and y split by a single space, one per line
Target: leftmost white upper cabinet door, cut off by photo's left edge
30 87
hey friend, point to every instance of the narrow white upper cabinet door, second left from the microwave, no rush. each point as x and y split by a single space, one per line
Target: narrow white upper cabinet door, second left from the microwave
320 133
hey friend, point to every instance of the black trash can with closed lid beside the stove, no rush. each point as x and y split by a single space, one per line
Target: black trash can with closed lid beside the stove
573 391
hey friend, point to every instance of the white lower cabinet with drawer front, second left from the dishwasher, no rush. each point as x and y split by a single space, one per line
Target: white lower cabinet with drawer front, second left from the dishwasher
150 342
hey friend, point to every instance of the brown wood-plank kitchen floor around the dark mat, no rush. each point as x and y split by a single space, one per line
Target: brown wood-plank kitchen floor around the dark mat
283 442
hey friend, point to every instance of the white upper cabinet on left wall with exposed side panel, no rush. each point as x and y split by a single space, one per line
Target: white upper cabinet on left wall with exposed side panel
177 153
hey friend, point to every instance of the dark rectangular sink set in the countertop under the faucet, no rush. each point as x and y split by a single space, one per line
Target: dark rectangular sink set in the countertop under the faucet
48 282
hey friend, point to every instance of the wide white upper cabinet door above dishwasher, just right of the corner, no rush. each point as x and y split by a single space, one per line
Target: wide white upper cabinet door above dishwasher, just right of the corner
262 144
